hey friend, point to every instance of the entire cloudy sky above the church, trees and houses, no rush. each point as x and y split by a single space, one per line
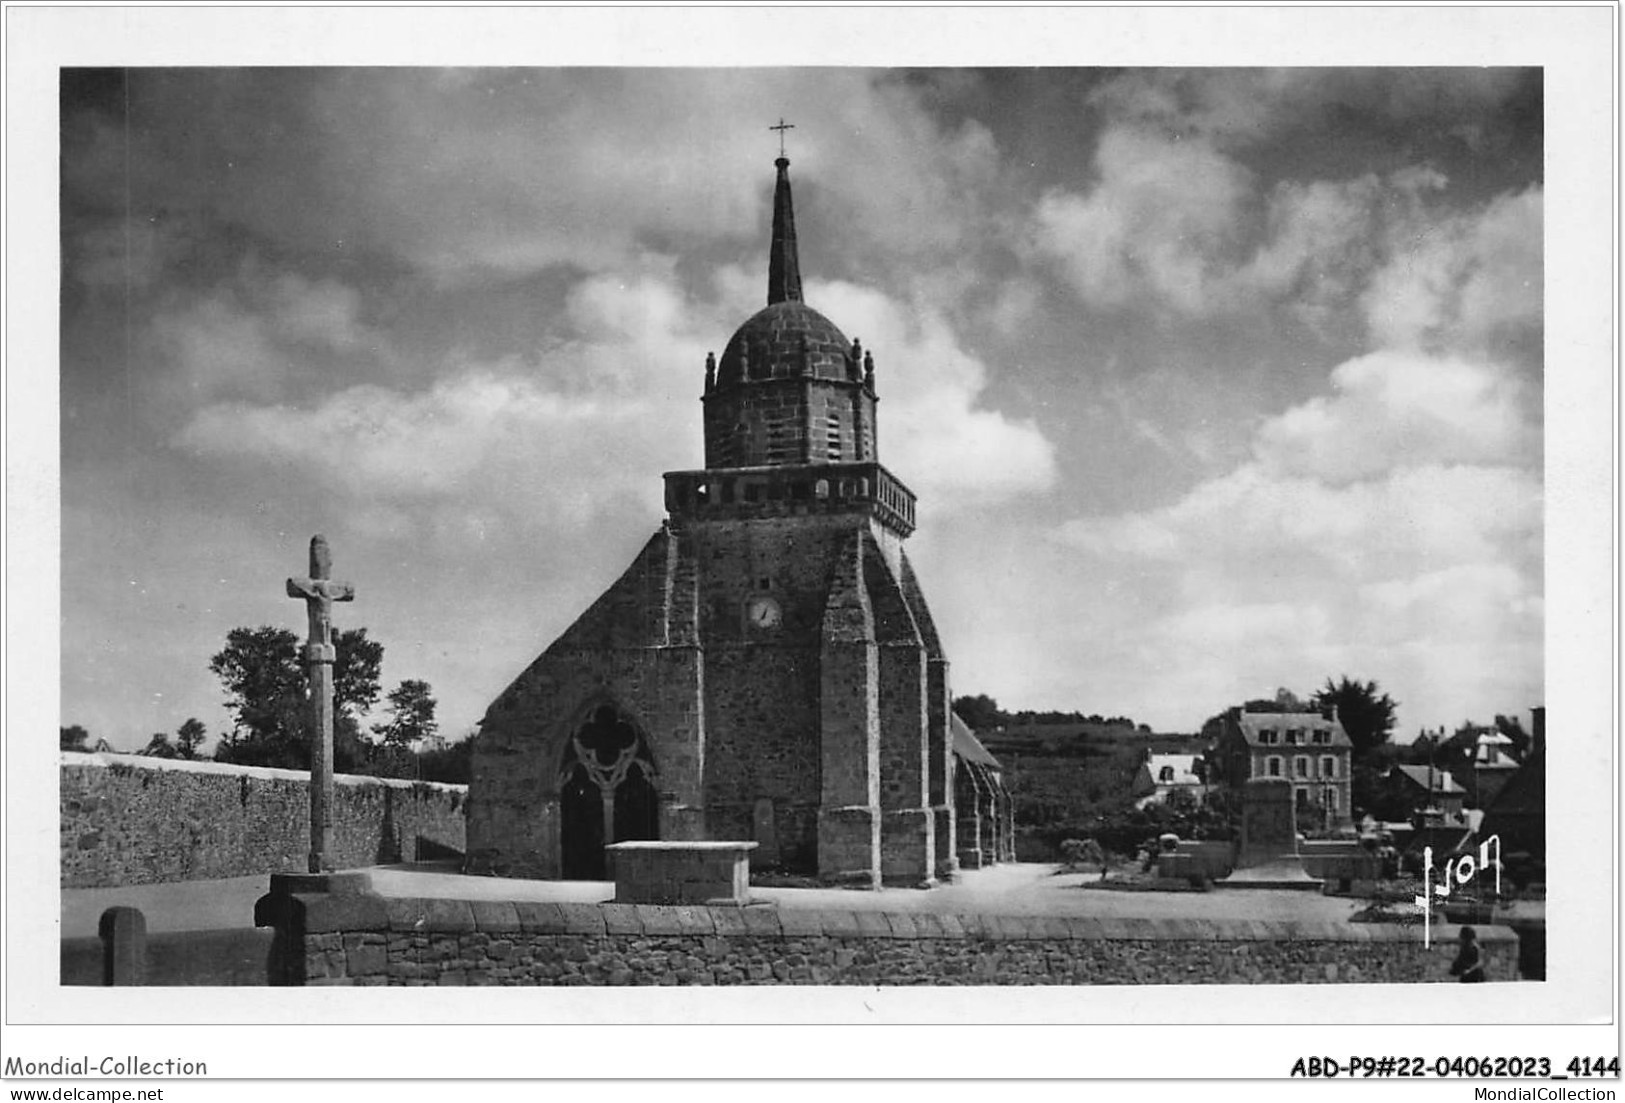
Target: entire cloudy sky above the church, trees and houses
1208 381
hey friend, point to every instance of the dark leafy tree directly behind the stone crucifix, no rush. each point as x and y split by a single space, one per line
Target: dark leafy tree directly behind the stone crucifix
267 691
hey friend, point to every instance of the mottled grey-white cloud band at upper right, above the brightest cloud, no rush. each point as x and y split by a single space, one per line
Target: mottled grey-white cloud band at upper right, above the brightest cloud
1176 223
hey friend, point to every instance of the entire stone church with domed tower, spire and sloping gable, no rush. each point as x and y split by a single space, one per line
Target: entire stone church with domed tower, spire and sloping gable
768 667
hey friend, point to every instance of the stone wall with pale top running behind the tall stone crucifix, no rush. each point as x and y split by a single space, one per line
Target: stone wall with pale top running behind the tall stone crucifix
128 820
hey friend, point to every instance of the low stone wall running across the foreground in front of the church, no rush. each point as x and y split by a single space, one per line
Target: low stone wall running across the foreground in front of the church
366 940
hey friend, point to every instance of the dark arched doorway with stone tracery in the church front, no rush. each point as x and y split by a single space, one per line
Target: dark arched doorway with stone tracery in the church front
607 792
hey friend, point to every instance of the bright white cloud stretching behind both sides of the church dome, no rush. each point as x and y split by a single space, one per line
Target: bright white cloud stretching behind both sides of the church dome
604 412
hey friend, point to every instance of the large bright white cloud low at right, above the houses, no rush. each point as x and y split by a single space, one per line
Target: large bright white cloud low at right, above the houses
1390 530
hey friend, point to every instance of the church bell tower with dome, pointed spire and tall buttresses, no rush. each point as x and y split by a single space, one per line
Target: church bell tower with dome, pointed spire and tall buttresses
810 592
